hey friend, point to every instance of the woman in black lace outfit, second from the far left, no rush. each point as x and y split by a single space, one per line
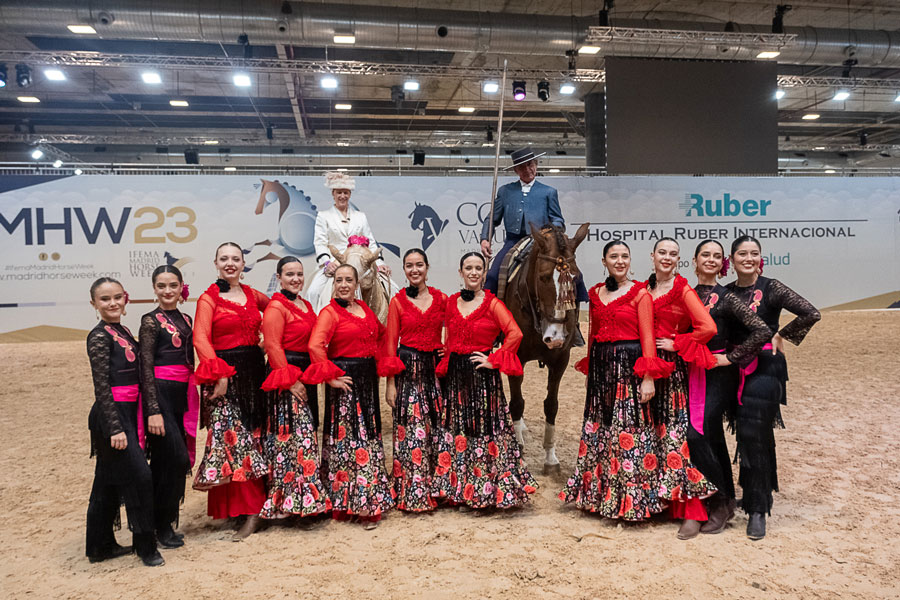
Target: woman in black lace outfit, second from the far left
167 366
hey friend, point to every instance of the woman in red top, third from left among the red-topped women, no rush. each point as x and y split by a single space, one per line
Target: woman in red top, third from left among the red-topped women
343 347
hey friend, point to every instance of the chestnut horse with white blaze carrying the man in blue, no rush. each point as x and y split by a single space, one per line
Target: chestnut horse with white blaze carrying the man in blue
541 297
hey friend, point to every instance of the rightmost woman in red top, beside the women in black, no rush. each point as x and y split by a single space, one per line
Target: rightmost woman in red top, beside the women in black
682 327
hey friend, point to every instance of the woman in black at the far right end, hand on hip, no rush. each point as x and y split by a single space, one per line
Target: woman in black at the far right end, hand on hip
763 381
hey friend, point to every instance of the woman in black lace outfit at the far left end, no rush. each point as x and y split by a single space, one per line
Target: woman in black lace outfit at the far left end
117 436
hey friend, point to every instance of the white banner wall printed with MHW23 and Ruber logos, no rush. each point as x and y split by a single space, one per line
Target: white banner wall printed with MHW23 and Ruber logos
834 240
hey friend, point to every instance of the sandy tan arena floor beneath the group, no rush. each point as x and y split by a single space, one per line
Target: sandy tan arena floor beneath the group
833 534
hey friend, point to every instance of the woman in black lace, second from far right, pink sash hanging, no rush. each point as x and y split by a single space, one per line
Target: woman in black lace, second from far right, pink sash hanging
706 436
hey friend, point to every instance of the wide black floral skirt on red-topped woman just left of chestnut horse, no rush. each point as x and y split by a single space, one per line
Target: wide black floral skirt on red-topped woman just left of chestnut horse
479 461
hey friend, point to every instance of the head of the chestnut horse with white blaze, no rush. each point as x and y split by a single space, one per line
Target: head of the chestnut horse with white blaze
552 281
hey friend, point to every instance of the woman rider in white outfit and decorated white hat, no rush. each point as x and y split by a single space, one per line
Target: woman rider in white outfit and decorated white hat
334 227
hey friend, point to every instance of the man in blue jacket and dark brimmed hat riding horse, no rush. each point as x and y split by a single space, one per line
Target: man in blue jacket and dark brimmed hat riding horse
518 205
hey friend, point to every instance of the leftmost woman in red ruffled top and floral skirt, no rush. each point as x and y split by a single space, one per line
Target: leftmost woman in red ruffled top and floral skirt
231 369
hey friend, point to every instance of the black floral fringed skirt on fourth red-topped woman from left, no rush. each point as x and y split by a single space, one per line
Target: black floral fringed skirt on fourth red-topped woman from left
416 413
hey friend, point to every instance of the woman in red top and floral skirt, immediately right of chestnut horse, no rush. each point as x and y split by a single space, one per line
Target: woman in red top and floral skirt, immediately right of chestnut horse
617 469
